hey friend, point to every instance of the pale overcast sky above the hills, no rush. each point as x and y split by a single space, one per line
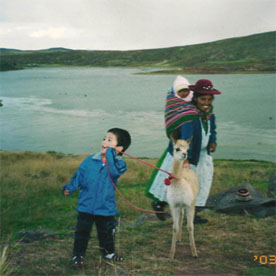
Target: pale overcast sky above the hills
129 24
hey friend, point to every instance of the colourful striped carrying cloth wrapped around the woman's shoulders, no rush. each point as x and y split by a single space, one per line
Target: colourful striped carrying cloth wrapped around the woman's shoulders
178 112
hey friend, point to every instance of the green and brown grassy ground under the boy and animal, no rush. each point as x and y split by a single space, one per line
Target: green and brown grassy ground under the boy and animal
31 199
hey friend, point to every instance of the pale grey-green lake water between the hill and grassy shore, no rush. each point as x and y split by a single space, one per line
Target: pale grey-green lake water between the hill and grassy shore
69 110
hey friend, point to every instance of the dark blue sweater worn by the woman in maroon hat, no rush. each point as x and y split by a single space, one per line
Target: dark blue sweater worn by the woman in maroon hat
193 129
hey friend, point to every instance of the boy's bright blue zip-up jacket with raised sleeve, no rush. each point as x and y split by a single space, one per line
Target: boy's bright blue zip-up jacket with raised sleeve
97 194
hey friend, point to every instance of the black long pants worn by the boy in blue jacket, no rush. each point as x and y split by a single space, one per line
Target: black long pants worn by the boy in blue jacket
105 229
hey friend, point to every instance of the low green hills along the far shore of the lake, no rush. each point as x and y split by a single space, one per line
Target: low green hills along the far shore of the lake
254 53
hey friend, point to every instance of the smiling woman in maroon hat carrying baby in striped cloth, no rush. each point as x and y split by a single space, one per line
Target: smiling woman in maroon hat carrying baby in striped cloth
190 119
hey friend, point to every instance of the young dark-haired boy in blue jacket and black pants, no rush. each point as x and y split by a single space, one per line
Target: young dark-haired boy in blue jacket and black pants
97 195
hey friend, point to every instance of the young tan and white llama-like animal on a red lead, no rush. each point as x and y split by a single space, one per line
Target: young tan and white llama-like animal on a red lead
181 195
